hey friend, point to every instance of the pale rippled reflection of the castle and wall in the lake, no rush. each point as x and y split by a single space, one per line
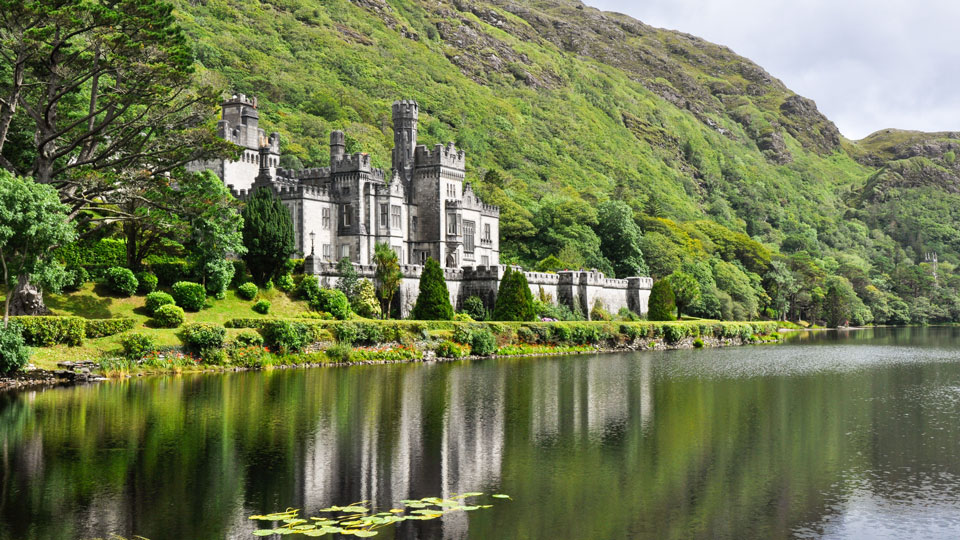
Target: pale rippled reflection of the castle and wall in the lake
352 457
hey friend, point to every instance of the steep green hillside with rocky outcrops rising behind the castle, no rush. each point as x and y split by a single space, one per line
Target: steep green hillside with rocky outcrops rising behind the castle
562 107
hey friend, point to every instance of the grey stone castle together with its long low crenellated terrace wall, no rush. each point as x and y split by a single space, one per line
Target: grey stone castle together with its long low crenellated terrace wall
423 208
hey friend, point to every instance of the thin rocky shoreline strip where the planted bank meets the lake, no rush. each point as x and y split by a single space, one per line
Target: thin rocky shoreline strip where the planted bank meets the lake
84 374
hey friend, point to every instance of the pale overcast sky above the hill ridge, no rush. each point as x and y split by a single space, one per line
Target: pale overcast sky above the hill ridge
869 65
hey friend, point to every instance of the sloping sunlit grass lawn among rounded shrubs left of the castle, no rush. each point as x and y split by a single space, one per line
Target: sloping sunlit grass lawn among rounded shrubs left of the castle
96 302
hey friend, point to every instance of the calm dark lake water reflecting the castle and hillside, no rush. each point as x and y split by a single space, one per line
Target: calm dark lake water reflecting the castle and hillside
832 435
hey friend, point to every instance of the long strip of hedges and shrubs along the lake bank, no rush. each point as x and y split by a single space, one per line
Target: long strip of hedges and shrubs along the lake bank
257 343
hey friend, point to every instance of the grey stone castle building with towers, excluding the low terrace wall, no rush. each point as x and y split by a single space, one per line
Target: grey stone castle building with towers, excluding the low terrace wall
421 208
